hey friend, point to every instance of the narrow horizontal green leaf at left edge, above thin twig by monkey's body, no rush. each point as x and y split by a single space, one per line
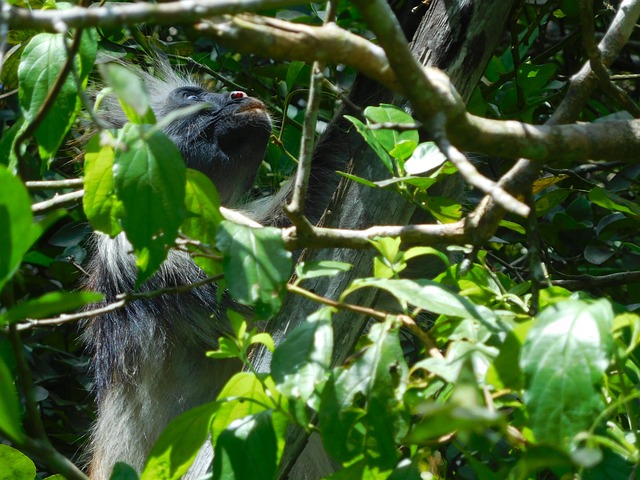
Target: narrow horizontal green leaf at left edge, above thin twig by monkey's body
49 304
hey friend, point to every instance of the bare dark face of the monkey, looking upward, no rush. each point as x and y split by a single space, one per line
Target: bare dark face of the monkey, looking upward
226 140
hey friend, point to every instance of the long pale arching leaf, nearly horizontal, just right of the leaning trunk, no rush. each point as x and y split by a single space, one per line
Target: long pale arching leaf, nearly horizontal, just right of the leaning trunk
427 295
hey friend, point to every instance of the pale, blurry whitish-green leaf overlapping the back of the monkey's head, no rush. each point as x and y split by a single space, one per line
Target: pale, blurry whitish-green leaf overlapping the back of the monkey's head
131 92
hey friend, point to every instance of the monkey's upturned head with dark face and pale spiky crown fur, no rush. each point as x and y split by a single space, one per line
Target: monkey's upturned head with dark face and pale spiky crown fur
226 139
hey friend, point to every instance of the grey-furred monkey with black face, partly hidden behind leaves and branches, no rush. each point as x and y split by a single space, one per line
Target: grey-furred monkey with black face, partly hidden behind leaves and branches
148 358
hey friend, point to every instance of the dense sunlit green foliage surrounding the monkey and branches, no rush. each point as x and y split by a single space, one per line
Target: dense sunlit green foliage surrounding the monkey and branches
517 359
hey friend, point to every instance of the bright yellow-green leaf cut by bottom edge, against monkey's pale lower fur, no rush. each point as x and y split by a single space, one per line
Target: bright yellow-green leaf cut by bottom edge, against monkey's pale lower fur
179 443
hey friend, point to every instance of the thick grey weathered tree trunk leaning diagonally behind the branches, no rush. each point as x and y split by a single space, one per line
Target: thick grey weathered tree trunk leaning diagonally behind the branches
457 36
